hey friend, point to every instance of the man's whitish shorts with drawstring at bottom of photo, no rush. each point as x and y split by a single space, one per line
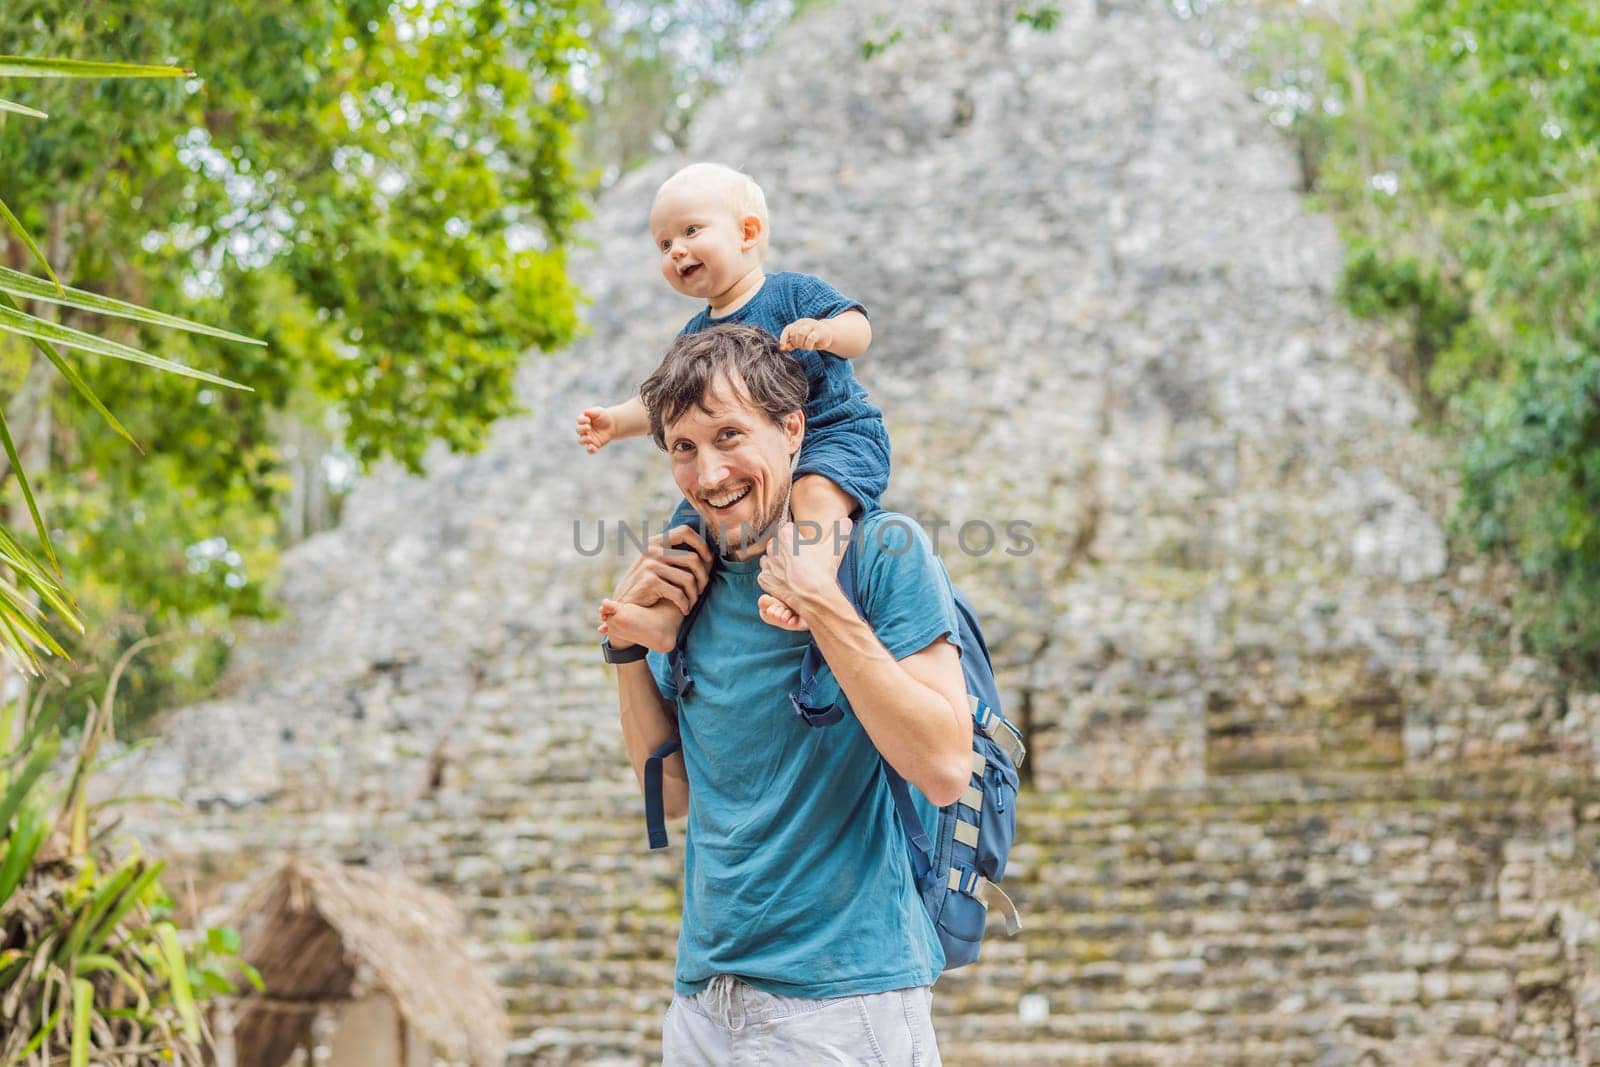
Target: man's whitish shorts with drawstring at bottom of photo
734 1023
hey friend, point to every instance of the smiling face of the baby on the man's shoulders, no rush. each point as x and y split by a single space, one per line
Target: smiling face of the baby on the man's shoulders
702 242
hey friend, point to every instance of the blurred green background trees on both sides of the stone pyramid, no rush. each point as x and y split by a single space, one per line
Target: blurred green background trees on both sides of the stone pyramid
383 191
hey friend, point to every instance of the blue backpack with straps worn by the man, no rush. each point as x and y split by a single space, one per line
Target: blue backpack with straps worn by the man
959 860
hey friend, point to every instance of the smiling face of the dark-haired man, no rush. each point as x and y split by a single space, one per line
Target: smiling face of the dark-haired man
734 466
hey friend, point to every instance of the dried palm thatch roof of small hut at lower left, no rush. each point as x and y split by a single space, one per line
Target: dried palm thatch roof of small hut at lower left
311 925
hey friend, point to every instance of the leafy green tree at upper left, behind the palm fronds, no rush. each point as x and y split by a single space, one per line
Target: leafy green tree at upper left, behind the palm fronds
378 190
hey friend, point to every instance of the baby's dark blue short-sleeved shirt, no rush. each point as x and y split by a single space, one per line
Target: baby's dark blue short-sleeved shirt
833 391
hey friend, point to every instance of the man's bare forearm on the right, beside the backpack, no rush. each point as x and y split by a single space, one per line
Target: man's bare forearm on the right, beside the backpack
924 733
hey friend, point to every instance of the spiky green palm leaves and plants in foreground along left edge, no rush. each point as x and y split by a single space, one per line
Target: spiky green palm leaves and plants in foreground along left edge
90 962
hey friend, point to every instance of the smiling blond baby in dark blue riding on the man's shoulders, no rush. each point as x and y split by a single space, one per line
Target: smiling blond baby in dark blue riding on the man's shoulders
710 225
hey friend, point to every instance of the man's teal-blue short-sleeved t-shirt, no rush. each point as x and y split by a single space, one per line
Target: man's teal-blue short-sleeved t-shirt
794 874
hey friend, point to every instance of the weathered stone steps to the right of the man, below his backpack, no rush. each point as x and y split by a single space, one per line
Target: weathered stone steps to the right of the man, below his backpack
1361 921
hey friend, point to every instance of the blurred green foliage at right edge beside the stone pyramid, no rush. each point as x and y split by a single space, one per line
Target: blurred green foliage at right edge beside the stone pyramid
1458 142
